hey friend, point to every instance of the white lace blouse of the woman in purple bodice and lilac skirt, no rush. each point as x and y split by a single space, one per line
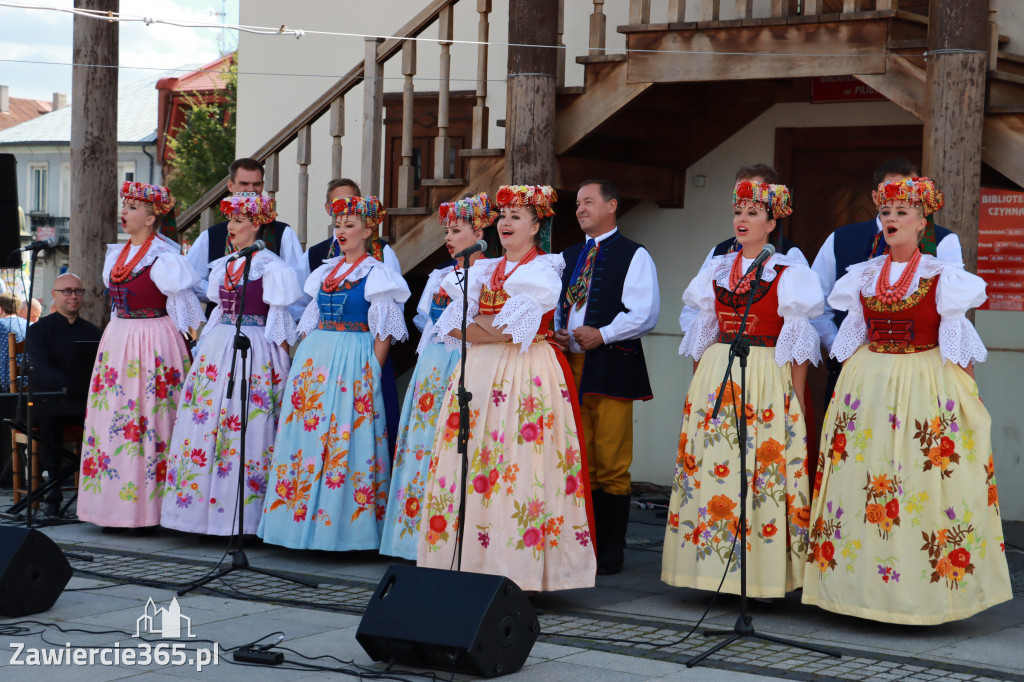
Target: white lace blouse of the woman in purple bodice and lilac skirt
281 289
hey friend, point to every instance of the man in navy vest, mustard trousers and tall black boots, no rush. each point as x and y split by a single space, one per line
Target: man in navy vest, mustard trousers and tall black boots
610 301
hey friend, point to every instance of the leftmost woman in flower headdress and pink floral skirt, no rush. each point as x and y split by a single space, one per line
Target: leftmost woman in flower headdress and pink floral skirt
141 367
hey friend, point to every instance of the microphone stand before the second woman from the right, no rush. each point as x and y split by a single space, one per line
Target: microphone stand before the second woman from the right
741 349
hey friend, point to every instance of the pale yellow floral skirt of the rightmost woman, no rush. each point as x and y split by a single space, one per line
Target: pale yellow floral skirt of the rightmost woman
907 520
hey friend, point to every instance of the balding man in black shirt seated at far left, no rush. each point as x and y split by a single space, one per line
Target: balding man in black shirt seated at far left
50 345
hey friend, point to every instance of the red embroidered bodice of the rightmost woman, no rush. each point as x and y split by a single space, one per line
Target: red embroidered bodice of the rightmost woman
910 326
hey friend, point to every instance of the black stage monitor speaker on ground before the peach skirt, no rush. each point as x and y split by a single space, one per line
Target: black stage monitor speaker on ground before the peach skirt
444 620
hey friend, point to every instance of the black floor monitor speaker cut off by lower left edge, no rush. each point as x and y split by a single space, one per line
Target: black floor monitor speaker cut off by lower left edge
33 572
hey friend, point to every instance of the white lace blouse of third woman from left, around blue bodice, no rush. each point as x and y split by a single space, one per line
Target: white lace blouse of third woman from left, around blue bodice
387 291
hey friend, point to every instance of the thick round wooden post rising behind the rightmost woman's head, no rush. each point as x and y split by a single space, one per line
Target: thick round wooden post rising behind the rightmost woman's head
955 113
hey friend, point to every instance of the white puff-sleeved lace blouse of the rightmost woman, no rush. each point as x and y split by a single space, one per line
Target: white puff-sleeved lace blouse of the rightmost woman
957 292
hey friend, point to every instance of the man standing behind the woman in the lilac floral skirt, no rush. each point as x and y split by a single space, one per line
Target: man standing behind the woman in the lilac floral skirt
243 176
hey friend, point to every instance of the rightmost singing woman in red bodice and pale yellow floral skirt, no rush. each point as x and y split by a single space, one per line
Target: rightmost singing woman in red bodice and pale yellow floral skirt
906 523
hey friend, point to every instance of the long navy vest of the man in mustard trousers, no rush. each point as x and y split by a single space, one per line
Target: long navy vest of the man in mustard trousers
618 370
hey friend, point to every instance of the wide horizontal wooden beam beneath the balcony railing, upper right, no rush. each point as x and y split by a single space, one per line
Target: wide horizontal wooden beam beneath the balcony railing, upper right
784 52
